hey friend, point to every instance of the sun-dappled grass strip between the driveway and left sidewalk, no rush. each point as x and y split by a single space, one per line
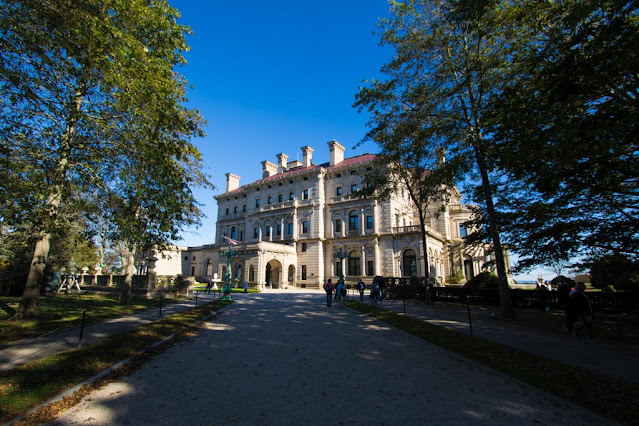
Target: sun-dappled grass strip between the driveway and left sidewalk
28 386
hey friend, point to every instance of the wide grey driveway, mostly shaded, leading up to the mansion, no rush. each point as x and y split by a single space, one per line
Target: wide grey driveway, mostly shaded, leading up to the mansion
286 359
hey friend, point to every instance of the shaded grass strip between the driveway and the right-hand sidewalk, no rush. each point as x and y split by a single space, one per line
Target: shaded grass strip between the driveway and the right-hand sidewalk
609 397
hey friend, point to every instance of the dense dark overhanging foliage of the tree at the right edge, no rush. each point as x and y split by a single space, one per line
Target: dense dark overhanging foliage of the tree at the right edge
567 133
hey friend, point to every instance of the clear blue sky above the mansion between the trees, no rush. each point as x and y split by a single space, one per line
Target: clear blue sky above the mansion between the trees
271 77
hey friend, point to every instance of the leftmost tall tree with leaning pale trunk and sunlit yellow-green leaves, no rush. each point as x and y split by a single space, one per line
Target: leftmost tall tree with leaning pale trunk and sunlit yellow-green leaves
74 74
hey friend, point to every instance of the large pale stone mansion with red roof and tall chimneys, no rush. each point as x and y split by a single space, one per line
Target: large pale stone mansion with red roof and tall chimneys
303 223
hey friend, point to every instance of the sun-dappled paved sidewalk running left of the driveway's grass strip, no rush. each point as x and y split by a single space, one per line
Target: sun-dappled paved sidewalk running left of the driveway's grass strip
25 351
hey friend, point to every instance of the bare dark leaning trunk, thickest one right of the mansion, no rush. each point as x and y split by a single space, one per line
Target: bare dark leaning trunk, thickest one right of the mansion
505 302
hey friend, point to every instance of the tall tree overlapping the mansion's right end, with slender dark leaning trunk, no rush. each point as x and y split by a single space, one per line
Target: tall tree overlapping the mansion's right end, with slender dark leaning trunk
449 60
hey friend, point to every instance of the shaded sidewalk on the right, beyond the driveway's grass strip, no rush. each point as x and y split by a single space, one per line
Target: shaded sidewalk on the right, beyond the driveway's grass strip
607 357
